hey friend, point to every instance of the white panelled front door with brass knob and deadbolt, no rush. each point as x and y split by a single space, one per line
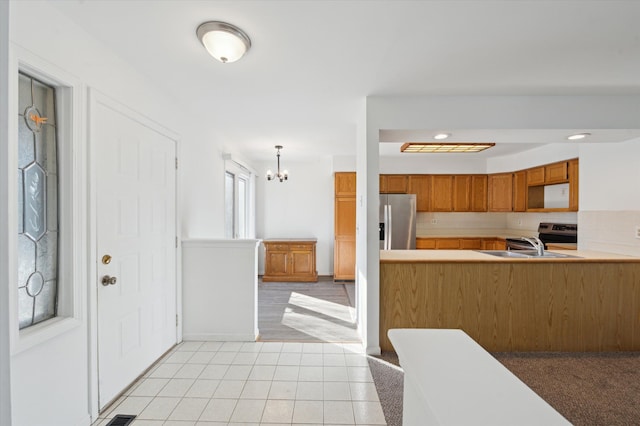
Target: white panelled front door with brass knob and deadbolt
136 246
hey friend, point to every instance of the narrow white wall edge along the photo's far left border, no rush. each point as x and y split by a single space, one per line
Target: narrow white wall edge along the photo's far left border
5 358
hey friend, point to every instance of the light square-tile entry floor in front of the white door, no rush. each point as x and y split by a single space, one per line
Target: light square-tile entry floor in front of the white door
254 383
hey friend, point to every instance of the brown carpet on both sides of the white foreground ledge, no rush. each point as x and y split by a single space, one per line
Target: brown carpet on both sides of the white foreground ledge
589 389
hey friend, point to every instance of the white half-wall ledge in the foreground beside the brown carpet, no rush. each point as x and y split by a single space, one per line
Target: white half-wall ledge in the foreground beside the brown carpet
451 380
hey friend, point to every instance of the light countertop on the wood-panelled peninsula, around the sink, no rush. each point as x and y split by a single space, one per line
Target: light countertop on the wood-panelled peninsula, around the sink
472 256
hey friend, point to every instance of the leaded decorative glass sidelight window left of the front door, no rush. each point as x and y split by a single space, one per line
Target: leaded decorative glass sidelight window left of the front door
37 202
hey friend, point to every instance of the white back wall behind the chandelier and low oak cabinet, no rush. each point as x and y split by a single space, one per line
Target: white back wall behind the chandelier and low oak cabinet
301 207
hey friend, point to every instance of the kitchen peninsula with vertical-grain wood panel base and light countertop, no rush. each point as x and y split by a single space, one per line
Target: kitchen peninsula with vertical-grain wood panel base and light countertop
573 305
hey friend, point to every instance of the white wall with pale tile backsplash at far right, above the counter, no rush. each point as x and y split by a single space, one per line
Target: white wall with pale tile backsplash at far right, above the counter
610 197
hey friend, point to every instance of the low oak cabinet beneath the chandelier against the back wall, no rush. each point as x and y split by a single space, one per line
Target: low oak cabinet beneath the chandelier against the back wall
290 260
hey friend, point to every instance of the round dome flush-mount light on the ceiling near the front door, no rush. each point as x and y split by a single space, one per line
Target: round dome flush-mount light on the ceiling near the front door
223 41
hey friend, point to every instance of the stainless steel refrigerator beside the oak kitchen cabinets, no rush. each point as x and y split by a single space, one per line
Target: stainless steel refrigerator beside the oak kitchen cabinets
397 221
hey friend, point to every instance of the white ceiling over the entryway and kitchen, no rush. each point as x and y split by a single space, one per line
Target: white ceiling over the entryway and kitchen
313 62
